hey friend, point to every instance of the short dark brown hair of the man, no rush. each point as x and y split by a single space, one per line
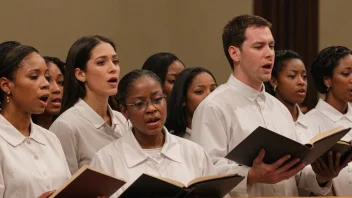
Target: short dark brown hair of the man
234 31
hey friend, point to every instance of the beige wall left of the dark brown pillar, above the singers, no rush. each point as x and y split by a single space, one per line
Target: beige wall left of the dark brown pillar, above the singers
190 29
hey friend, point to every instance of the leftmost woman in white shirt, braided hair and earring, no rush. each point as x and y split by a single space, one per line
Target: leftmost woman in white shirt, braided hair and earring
32 160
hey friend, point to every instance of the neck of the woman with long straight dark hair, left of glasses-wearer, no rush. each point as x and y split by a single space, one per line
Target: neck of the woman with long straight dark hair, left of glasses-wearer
99 104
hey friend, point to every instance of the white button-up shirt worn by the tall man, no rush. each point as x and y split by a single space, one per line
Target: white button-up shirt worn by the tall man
227 116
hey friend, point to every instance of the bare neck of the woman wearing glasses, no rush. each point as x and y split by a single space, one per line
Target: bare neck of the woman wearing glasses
150 141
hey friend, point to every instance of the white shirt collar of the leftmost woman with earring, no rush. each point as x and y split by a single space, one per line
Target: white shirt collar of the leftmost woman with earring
14 137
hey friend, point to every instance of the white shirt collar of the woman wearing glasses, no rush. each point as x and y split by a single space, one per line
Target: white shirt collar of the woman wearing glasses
135 155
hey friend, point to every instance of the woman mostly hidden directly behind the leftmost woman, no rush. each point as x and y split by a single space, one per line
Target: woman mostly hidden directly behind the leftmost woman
56 71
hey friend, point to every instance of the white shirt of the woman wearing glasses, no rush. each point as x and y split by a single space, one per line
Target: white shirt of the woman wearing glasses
179 159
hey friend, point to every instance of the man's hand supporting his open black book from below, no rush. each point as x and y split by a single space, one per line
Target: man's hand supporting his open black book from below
273 173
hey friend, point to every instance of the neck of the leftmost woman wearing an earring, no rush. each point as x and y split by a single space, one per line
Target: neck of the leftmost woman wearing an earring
19 119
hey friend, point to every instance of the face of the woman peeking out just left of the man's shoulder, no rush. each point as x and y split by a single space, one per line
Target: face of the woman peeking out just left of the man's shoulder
202 85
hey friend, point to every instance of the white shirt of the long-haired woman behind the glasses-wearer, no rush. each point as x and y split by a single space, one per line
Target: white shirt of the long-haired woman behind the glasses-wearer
82 132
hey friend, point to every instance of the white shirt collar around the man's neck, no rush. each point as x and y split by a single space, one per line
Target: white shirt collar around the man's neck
248 92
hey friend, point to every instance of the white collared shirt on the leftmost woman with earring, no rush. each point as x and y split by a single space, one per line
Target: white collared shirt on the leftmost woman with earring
30 165
